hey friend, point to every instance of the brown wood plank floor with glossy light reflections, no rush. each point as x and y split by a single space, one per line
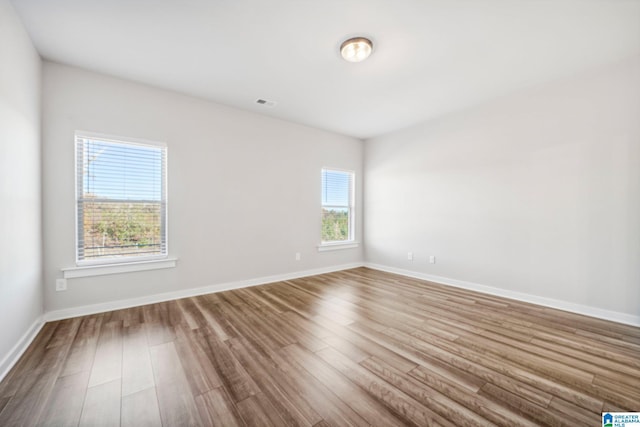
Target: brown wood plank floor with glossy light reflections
357 347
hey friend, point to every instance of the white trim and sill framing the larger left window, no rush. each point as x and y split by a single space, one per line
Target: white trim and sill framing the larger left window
85 268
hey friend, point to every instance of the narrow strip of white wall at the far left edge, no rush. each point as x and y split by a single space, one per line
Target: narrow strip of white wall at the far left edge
20 201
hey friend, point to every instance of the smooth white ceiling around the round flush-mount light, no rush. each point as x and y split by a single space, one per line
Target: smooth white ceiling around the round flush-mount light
430 57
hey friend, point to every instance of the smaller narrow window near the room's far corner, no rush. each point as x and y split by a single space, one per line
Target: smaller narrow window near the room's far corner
337 206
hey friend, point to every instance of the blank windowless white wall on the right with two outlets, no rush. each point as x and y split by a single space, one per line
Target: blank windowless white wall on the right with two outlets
537 193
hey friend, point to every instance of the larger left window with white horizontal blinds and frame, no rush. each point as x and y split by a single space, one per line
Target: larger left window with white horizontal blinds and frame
121 195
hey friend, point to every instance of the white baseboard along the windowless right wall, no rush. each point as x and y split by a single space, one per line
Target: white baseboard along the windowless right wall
599 313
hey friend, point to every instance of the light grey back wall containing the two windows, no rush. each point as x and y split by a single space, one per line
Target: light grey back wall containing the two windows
244 189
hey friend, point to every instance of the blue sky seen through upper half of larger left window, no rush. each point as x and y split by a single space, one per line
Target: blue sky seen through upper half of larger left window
122 171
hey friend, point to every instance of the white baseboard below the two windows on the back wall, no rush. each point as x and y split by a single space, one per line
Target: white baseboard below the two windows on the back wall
168 296
